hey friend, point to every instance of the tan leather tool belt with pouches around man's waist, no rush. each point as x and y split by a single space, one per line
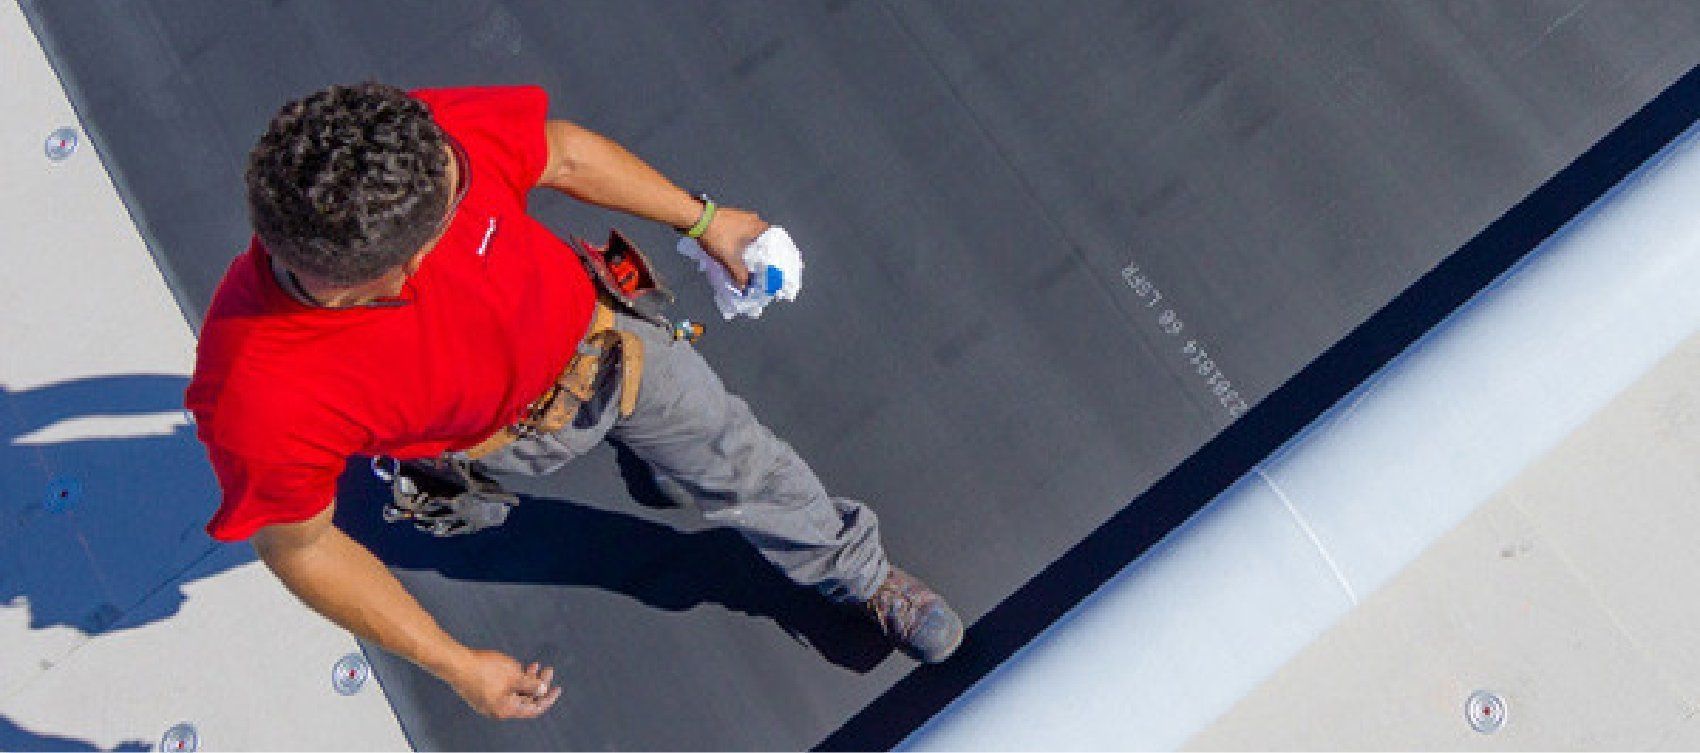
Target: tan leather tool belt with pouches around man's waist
448 495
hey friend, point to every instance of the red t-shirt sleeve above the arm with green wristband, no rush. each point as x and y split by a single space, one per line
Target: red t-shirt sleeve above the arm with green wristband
501 128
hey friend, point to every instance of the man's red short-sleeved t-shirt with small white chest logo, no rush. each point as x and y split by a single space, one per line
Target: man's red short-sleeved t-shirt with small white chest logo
286 393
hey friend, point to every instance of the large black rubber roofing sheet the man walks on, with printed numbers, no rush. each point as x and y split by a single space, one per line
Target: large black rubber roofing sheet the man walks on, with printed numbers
1055 251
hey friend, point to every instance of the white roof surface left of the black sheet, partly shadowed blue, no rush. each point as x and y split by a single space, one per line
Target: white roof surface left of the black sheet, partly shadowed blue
118 614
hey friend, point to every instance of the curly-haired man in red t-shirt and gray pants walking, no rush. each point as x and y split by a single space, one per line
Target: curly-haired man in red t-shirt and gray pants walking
399 302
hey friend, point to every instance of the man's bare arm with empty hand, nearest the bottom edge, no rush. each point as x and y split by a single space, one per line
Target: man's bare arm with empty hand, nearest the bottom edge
344 582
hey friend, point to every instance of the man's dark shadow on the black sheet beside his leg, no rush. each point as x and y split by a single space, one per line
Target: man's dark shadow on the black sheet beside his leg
565 543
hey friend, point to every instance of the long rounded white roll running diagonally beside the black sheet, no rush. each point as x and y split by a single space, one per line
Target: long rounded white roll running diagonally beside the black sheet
1170 643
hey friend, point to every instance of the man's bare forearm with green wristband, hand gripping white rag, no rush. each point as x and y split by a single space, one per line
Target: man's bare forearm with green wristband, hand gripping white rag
598 171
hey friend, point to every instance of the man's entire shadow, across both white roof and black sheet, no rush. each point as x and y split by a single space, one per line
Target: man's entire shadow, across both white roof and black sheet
140 494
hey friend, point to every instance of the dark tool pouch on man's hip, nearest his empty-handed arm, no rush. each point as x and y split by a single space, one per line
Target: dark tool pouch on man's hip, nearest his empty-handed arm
443 495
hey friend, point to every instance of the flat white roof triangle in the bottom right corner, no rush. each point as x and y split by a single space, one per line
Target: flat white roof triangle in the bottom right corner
1570 594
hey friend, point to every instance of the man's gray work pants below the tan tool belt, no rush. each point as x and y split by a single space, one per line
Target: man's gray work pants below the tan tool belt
691 429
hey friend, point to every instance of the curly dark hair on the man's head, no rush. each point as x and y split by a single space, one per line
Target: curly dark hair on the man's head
349 183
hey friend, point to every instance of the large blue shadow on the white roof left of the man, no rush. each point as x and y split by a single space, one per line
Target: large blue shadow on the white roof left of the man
116 533
